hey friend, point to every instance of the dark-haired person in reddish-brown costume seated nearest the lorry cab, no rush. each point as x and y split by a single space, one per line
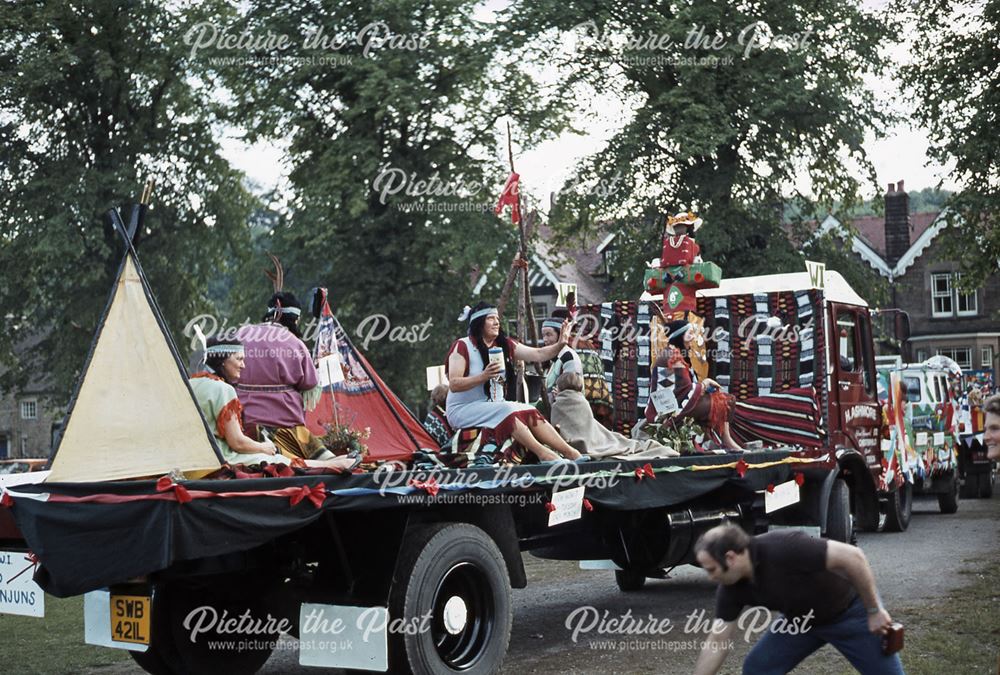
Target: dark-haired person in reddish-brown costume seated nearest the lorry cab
703 401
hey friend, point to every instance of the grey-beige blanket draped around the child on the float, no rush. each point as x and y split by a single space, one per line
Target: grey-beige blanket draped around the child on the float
572 415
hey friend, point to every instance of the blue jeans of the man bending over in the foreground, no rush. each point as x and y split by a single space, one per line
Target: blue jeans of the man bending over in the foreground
778 653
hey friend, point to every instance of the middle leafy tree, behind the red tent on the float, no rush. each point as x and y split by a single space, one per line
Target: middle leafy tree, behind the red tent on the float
393 131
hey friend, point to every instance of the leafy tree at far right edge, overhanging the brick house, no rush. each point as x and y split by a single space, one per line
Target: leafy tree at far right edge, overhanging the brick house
956 86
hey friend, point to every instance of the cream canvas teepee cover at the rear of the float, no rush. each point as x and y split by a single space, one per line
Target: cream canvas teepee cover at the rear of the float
133 414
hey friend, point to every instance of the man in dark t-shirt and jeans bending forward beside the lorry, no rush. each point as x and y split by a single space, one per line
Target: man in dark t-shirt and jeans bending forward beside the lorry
823 589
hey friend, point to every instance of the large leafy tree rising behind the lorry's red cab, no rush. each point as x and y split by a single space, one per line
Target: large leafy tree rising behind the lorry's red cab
735 104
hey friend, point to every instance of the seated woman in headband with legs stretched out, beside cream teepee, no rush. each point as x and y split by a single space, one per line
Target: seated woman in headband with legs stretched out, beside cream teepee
215 395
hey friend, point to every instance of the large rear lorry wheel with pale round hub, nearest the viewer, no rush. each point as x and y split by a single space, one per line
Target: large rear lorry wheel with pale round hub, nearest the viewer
456 573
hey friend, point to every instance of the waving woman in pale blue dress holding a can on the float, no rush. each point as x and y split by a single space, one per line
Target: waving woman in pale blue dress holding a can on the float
477 396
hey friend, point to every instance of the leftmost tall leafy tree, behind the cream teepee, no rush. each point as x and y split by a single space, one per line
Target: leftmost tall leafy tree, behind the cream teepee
94 98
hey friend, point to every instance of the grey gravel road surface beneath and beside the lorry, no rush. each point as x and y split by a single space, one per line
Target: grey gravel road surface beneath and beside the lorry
913 568
